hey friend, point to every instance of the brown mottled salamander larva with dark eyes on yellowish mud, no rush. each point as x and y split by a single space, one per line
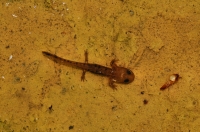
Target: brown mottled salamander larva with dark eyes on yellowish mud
116 74
